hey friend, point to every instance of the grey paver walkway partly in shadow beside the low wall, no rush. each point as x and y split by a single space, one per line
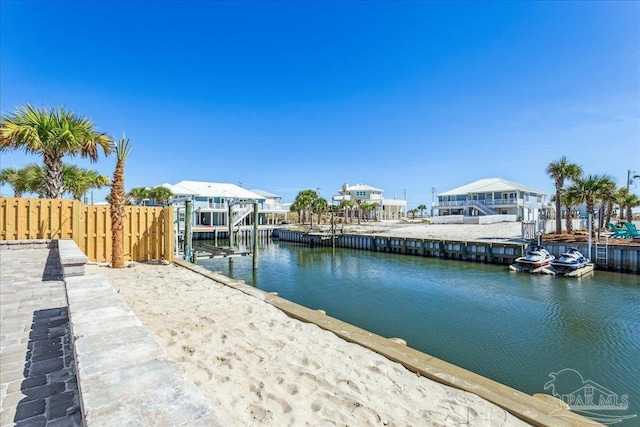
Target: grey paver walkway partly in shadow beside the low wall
38 384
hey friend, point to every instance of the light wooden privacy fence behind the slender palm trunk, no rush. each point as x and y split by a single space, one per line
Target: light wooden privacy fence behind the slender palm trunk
148 231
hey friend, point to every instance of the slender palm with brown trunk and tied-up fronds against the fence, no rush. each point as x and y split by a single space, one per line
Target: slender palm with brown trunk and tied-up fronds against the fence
117 199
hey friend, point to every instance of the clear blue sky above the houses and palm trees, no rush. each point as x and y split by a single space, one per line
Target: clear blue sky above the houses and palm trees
284 96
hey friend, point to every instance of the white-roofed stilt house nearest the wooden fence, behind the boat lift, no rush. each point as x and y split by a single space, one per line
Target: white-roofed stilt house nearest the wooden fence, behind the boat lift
213 200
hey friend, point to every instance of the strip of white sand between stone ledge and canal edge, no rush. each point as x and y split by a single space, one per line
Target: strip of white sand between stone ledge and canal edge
256 366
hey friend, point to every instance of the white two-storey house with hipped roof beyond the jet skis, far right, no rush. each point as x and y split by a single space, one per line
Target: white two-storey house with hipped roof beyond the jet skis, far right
505 200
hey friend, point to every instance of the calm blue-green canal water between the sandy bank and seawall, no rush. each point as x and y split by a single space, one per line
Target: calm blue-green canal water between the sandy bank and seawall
513 328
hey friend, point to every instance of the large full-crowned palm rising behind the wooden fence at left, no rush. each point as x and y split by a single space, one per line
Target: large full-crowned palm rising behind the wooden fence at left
52 134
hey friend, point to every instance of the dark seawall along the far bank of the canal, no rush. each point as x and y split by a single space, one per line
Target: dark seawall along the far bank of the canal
620 258
